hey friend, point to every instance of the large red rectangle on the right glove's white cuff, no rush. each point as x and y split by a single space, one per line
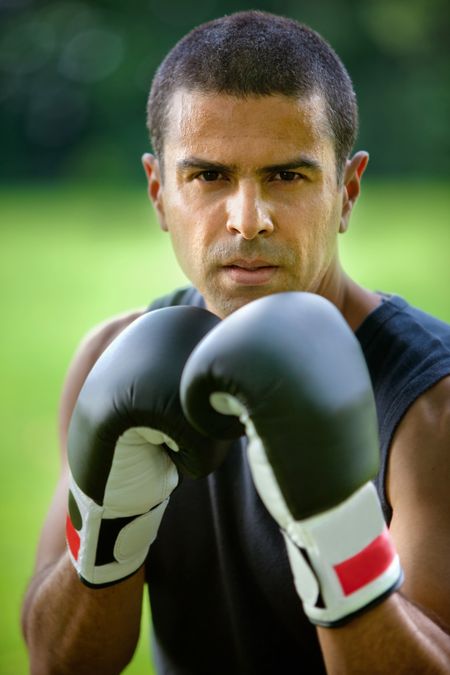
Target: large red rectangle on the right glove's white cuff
366 565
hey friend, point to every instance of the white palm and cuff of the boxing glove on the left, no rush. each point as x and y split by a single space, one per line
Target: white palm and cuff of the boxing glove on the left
140 481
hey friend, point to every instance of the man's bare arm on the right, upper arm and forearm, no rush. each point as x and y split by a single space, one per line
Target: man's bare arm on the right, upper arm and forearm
409 633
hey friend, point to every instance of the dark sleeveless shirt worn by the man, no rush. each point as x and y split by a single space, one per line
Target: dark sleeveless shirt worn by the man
221 590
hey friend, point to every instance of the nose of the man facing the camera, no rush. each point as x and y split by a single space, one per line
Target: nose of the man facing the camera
247 213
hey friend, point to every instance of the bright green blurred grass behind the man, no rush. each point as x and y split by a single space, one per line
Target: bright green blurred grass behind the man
73 255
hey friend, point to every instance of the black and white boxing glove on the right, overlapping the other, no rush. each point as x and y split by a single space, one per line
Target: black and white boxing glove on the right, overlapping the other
288 370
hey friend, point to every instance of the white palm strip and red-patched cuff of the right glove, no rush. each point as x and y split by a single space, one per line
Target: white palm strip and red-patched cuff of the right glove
342 559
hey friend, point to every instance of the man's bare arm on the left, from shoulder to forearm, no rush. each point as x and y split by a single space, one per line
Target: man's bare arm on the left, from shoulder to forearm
68 627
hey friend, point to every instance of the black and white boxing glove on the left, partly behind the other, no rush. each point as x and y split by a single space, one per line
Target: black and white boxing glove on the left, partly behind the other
128 442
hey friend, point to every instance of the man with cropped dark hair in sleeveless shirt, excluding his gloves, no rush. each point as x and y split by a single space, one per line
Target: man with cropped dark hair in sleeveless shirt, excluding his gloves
253 119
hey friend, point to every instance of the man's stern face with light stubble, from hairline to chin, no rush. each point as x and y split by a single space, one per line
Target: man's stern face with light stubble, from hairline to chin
249 196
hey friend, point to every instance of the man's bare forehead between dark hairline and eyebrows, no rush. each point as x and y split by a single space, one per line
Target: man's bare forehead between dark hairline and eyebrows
232 128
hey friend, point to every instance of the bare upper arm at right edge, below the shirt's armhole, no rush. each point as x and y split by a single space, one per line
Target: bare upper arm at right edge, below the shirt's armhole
418 480
